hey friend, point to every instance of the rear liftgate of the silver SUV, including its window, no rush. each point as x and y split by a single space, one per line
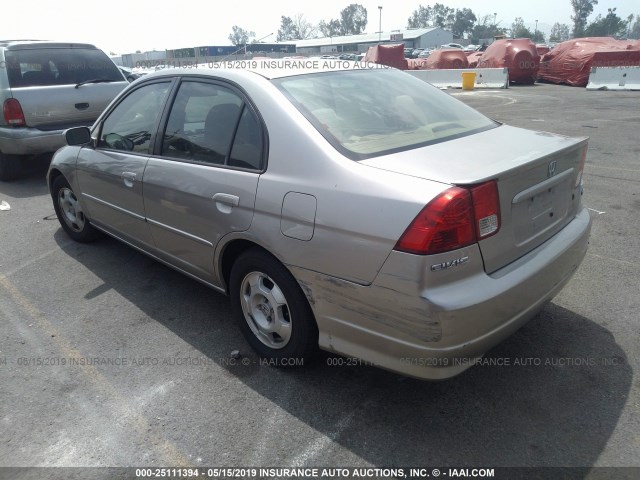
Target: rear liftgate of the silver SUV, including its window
47 80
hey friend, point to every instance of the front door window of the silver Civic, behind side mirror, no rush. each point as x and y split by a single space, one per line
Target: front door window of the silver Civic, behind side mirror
130 125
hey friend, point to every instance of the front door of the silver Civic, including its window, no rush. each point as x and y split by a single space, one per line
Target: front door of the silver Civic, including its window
110 176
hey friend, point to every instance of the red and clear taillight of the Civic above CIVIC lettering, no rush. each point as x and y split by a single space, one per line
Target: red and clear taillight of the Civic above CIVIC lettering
454 219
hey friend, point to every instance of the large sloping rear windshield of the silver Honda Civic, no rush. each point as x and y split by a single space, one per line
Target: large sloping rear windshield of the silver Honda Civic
366 113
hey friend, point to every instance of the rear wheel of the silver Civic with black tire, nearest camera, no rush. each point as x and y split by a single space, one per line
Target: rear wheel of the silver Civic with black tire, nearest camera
273 313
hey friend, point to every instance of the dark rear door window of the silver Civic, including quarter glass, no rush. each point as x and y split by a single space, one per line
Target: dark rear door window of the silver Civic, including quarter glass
212 124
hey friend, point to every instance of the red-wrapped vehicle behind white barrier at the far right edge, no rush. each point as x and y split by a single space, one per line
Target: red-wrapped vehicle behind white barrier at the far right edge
570 62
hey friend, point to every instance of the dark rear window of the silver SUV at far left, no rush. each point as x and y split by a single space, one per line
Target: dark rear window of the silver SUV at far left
59 66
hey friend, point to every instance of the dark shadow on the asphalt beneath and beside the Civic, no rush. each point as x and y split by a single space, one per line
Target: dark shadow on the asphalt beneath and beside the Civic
550 395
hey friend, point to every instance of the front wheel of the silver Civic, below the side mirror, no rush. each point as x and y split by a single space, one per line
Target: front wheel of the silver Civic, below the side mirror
70 214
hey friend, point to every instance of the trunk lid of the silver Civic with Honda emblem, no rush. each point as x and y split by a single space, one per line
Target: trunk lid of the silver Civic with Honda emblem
538 175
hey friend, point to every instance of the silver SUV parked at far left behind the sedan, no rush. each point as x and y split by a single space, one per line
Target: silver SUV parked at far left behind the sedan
46 88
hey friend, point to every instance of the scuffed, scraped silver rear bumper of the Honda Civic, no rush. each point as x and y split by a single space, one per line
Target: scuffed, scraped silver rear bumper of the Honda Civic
437 332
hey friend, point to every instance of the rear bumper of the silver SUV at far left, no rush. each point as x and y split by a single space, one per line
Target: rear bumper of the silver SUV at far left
32 141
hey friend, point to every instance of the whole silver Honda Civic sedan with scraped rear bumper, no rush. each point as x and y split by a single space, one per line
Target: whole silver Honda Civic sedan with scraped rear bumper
355 210
